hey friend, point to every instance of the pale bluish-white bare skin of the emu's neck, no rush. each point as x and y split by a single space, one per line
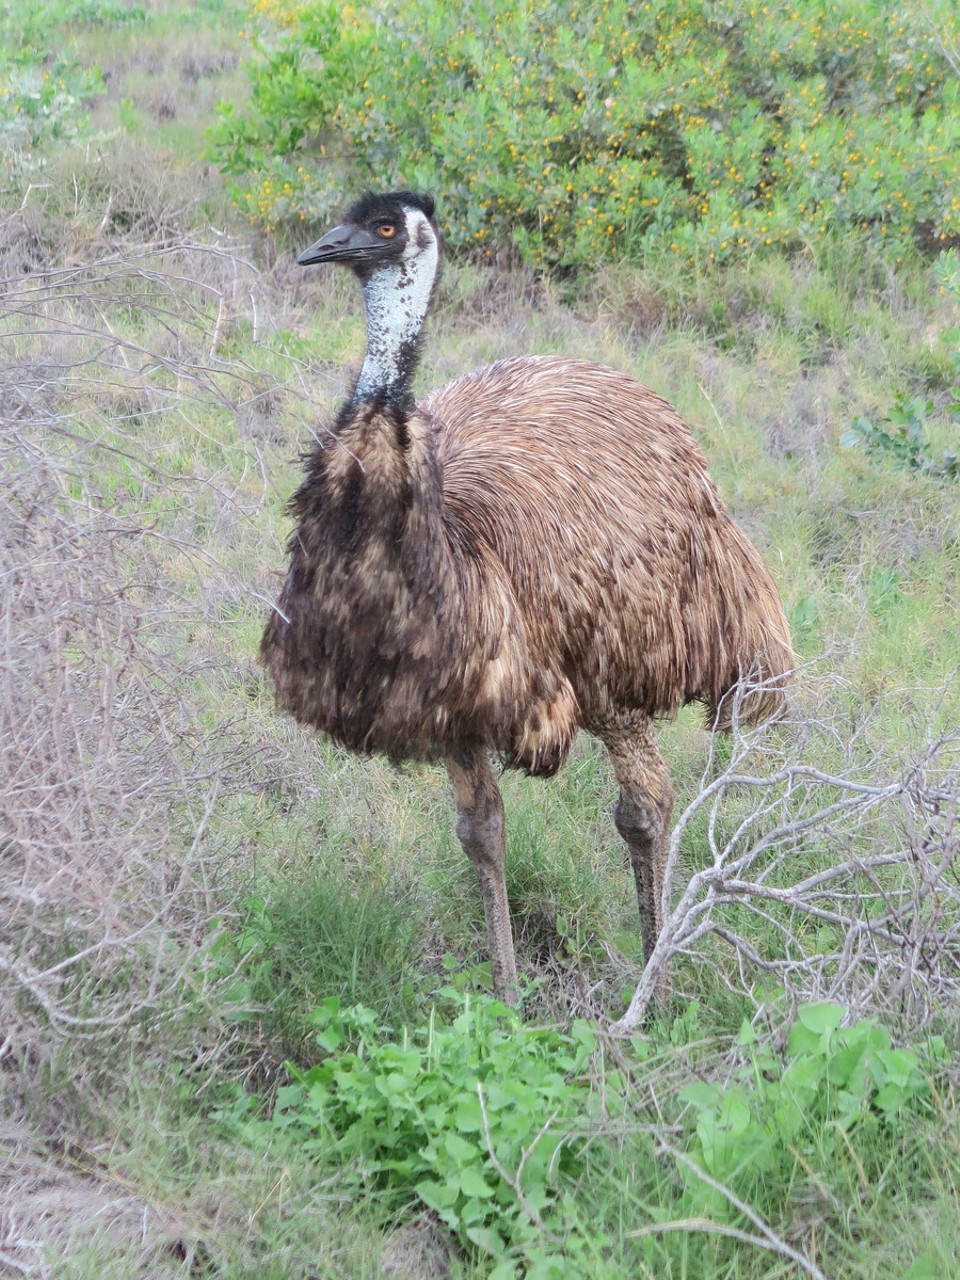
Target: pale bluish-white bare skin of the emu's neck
396 299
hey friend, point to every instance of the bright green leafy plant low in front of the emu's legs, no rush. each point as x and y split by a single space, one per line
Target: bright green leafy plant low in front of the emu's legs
481 1118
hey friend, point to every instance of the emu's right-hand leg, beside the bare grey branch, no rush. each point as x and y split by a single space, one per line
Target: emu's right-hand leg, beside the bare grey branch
643 817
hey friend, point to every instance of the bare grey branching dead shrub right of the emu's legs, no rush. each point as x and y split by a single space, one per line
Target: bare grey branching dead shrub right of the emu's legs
840 886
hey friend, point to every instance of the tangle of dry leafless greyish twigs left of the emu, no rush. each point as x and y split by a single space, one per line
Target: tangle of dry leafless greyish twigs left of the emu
109 775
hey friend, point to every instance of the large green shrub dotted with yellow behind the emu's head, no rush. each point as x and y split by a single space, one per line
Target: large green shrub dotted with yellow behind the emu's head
584 132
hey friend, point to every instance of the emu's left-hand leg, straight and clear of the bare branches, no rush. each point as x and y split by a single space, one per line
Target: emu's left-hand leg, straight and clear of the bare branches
481 830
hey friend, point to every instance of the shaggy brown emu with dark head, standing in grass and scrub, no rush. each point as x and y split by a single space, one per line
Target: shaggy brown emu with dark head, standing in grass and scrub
534 548
